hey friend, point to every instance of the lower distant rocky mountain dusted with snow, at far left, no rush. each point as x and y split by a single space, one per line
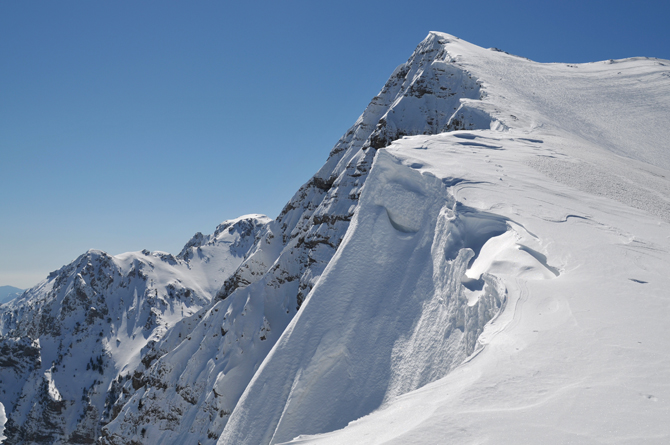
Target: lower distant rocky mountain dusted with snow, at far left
93 321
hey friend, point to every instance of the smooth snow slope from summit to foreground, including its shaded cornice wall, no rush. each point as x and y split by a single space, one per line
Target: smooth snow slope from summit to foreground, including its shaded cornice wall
564 203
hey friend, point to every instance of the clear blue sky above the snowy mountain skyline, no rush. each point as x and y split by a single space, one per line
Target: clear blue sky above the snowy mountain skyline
133 124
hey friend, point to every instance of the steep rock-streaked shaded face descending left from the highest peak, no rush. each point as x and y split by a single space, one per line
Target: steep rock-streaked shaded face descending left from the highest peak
423 96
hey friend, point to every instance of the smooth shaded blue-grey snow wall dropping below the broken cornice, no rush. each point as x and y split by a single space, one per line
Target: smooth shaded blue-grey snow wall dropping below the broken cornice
389 315
